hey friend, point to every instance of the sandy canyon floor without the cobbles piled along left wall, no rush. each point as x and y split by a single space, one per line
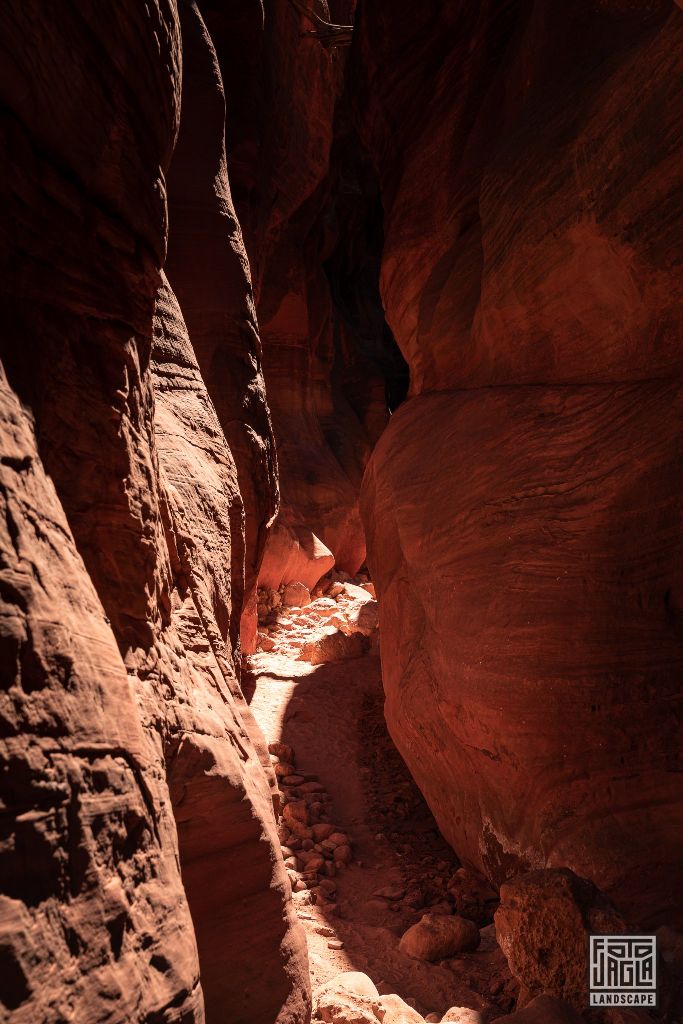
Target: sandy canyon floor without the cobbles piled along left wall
332 717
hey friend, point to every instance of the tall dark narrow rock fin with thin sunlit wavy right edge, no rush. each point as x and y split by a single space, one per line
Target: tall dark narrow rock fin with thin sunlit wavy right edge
208 269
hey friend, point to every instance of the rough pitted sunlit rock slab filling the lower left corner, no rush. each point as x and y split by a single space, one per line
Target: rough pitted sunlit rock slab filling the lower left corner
94 919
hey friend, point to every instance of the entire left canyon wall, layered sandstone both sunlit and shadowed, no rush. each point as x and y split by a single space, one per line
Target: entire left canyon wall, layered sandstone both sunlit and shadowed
142 879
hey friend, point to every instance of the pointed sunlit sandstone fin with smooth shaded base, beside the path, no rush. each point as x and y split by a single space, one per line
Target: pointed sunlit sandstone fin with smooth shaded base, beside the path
252 956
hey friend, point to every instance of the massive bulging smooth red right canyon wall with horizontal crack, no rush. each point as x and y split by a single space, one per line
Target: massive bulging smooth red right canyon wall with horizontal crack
524 507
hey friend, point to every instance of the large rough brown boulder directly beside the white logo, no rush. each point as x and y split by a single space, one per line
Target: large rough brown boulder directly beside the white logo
542 927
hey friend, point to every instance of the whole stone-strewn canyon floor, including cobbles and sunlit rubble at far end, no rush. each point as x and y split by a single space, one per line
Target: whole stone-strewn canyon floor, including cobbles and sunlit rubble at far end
328 719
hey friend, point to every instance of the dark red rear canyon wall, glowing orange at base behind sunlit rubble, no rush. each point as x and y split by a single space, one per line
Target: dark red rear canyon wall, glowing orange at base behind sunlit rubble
283 89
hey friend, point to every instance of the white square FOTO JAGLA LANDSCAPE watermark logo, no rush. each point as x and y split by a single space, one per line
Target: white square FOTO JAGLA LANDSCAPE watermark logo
623 971
